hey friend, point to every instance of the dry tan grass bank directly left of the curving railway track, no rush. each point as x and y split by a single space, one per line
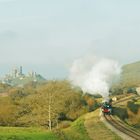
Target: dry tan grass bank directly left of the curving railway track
96 129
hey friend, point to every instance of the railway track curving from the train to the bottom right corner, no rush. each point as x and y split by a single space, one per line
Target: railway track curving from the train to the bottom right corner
118 125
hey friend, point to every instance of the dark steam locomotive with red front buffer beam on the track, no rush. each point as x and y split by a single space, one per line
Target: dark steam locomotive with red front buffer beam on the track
106 107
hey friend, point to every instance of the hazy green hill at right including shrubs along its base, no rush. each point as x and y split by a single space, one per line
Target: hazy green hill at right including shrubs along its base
129 79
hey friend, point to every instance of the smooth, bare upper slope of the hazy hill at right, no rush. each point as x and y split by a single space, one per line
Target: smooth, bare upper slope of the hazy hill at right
131 74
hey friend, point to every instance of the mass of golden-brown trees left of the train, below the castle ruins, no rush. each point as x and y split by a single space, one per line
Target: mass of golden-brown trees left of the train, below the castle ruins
44 104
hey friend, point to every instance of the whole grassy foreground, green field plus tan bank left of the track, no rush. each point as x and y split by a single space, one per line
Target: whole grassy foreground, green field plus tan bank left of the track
85 128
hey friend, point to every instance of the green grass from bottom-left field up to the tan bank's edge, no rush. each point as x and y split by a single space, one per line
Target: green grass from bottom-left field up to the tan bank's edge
76 131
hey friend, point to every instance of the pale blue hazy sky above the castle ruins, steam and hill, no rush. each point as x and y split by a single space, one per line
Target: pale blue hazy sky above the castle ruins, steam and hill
48 35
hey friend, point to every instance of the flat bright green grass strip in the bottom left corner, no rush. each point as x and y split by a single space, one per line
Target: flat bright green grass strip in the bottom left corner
15 133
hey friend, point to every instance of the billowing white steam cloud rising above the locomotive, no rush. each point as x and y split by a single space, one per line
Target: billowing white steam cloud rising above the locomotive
94 75
